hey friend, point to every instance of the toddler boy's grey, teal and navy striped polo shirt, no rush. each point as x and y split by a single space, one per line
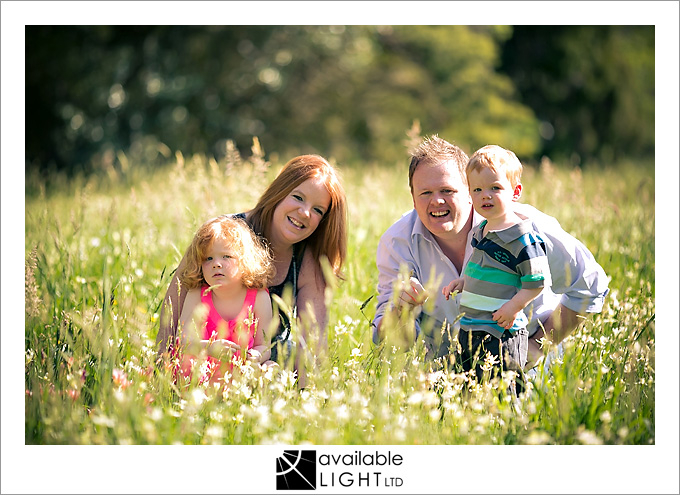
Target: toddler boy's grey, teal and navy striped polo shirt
502 263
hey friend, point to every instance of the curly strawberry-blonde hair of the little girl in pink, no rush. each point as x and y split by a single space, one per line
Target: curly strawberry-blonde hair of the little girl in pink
253 257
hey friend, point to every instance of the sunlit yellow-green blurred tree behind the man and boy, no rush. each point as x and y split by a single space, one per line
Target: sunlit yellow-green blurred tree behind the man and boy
447 77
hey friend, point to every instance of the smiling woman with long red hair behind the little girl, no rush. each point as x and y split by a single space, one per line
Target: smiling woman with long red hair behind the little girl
302 217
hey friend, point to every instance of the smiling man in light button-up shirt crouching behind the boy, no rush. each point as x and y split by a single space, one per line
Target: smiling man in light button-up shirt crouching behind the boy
432 244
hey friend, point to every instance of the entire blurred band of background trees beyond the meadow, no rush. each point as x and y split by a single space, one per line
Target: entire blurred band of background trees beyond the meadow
348 92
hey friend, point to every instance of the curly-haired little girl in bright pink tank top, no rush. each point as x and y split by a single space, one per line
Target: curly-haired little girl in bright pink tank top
227 308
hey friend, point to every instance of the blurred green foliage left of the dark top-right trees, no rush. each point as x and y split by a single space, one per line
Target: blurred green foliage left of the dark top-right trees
342 91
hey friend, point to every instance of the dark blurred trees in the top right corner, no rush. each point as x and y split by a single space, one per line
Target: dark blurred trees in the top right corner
592 87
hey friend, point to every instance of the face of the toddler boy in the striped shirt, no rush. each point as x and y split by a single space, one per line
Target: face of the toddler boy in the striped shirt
492 194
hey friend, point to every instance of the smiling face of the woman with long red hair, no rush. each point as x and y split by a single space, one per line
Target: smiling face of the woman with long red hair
298 215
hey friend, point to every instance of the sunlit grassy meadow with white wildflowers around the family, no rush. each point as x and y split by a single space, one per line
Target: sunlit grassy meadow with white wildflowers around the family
99 255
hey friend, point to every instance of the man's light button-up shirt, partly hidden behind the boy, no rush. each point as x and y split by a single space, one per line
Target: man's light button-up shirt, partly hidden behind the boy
578 281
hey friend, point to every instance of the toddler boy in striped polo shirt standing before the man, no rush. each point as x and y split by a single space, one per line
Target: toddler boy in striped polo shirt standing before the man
507 270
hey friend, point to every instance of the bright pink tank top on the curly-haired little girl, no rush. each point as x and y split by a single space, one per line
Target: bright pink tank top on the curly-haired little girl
227 329
